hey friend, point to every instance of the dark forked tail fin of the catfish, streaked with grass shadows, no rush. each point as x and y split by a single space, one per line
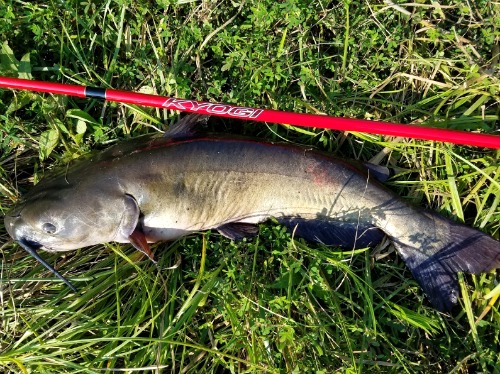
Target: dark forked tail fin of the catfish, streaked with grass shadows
457 248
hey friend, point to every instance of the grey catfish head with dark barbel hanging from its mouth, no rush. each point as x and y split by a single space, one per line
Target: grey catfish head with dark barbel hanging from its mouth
65 217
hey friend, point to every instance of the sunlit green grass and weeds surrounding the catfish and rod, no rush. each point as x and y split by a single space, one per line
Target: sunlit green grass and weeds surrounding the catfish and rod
271 304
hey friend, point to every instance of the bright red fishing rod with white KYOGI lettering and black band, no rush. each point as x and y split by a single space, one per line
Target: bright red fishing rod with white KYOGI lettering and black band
261 115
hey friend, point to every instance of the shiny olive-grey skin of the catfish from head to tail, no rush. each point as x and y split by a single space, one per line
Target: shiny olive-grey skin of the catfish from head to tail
170 187
